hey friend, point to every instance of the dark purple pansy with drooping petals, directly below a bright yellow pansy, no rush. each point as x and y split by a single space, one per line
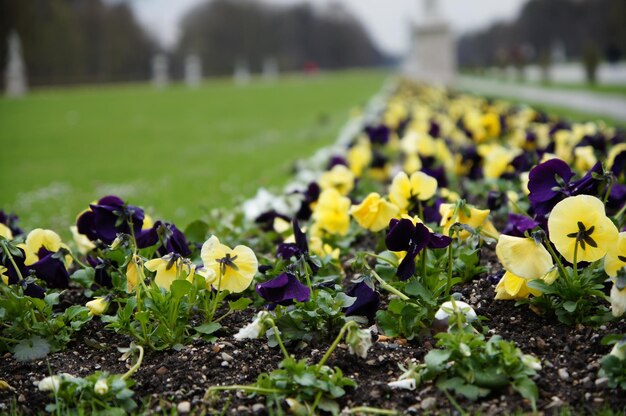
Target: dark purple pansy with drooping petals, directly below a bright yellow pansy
404 236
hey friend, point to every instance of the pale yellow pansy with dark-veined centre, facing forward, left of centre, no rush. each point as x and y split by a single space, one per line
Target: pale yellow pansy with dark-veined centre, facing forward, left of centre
231 269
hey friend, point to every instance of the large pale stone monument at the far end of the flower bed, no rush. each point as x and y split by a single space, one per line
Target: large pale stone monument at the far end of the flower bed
432 58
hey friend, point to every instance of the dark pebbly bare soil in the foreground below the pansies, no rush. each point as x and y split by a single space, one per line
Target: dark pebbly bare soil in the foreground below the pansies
570 358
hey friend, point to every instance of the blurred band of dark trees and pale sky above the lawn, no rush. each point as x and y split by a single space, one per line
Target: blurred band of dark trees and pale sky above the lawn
93 41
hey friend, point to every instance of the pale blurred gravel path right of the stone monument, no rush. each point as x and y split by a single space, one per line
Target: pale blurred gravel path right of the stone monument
589 102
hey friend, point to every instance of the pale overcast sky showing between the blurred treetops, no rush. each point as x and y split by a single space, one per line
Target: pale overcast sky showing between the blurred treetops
386 20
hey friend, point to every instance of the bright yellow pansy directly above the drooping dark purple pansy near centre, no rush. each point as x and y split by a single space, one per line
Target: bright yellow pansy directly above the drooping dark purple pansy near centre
404 189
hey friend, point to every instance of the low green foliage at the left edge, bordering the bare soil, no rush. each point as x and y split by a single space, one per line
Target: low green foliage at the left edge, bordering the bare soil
32 327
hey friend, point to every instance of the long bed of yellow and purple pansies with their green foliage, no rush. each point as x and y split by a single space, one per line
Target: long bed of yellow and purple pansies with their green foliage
403 209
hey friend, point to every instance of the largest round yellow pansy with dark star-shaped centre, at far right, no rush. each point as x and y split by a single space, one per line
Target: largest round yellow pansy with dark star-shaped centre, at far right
580 223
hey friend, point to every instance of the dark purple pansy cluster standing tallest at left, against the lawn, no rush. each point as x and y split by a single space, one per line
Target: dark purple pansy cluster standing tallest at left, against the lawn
109 217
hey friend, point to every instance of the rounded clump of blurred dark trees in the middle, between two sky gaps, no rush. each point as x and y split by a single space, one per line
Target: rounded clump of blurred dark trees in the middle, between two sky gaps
224 31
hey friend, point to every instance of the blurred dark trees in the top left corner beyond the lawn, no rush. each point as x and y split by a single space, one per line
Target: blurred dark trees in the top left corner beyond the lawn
76 41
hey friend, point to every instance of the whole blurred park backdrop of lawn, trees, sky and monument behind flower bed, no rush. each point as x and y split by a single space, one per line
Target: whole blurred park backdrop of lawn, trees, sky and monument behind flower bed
188 105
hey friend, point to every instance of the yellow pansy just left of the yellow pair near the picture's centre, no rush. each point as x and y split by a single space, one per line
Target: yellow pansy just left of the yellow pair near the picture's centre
331 213
